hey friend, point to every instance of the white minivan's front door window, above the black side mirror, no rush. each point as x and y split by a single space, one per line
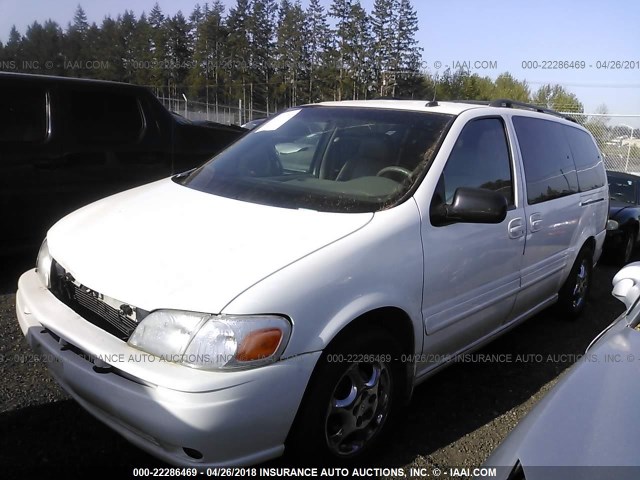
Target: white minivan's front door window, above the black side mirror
479 159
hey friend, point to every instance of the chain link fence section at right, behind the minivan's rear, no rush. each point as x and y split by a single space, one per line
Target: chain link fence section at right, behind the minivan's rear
618 137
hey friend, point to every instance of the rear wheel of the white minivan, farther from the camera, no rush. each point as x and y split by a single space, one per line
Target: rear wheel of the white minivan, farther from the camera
573 295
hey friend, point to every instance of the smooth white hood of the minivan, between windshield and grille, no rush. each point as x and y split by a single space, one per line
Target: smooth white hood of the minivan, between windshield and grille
164 245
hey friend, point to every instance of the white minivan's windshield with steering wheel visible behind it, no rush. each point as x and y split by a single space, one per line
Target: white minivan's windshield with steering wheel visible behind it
336 159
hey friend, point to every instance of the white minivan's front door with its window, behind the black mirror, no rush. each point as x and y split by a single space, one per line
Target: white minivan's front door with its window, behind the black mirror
472 271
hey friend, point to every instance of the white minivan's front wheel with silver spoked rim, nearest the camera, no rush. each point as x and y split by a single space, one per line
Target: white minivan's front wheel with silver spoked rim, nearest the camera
349 401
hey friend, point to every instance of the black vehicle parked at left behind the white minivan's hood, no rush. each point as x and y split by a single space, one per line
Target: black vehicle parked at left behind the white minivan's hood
66 142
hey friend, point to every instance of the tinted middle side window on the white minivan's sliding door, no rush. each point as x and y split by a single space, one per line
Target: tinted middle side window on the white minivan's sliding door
548 165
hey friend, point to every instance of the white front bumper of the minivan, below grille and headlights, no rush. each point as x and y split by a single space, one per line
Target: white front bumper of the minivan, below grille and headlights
181 415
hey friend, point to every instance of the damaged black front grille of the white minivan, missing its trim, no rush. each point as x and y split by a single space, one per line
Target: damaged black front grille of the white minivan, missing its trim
93 306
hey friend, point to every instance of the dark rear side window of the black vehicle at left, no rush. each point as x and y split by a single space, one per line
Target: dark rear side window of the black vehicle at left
100 117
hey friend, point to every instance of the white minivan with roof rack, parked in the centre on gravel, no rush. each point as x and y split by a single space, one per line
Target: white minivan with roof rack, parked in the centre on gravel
293 290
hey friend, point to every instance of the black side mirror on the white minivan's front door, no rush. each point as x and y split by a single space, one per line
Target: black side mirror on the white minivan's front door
471 205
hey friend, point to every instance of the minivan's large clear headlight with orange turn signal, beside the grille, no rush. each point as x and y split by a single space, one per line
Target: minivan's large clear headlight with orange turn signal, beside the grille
212 342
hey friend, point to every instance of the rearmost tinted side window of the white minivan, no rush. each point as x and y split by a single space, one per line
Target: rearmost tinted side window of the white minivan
587 159
